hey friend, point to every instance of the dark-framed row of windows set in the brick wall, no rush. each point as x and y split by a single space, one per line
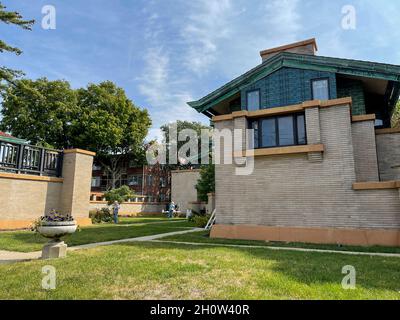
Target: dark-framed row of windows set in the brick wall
279 131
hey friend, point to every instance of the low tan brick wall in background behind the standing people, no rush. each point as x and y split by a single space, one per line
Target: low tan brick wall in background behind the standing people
133 208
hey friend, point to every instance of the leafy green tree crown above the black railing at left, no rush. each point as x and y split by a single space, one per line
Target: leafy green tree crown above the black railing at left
40 111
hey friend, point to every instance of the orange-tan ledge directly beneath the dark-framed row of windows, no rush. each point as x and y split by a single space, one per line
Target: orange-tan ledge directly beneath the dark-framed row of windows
280 150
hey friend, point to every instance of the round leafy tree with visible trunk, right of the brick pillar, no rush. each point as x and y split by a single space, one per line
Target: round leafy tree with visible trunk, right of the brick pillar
111 125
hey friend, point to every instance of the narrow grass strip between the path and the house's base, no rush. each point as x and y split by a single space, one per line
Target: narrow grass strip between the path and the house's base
203 237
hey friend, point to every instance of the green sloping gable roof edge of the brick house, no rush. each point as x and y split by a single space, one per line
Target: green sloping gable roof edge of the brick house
292 60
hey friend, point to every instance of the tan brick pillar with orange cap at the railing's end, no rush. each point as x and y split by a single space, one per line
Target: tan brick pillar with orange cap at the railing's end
75 193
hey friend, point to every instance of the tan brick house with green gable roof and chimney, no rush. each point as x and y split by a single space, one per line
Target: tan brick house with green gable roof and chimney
326 160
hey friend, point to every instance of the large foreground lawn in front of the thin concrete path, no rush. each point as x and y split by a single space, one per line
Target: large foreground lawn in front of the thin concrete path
177 271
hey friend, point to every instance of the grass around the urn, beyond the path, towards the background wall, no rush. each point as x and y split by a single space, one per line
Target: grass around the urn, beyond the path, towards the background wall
25 241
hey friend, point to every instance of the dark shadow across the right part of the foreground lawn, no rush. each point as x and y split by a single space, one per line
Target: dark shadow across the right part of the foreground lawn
307 268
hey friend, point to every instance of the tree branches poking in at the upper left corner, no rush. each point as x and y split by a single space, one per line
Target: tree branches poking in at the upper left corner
14 18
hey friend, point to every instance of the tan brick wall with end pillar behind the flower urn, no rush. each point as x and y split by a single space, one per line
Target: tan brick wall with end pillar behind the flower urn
24 198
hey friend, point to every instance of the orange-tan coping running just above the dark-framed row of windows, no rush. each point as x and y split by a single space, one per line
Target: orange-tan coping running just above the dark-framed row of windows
284 110
